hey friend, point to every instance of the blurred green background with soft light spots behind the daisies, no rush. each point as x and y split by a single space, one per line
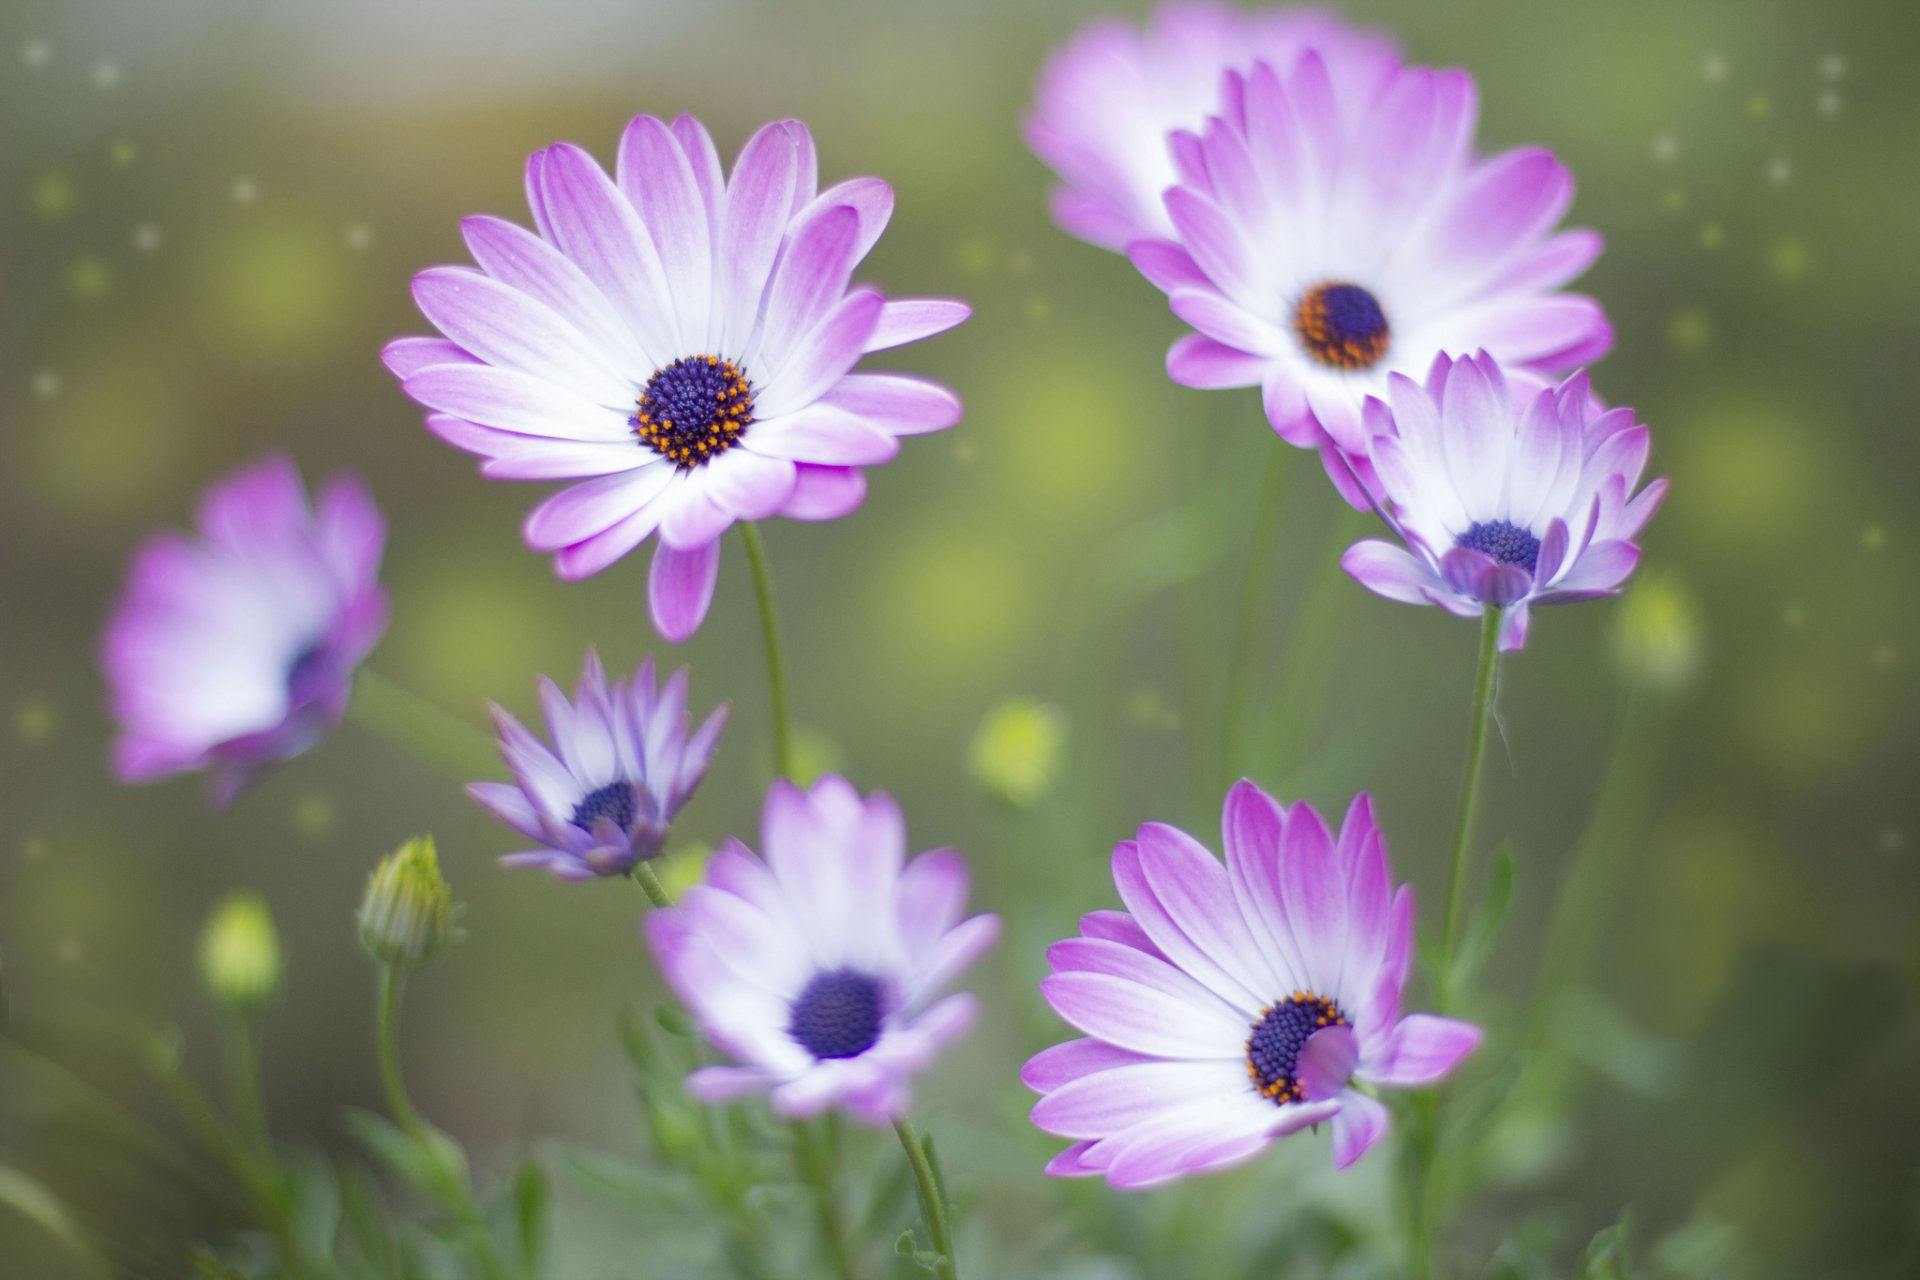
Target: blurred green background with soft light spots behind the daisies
212 212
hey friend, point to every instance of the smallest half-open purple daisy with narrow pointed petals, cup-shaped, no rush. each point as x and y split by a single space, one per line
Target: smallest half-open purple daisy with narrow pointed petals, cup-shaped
621 767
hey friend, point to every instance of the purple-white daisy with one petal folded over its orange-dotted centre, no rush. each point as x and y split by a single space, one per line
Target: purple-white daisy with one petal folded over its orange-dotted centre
1234 1005
